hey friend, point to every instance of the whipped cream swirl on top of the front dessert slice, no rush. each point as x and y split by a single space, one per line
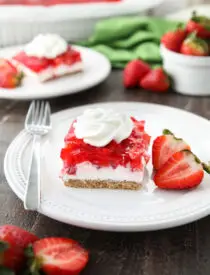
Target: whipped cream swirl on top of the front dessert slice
98 127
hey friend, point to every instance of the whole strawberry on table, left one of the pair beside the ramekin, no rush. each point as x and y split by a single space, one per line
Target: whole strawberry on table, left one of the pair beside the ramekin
134 71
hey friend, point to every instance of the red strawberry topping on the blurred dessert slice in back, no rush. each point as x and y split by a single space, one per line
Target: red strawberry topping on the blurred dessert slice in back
36 64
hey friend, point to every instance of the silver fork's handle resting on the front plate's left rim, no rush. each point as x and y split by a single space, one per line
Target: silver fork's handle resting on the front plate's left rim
32 193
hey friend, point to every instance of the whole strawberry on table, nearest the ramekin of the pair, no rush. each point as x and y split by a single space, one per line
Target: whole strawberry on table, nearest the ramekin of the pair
156 80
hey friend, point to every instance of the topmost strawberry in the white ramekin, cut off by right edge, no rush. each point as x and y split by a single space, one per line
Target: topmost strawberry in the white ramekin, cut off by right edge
200 25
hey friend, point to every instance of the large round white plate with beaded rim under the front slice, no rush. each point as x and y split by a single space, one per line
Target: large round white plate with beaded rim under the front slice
147 209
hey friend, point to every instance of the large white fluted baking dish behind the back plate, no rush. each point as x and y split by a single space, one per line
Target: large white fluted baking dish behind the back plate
19 24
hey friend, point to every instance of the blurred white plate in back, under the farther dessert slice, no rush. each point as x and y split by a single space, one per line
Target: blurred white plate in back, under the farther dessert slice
96 69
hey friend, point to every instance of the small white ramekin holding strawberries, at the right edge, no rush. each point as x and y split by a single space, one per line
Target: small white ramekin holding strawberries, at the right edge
190 74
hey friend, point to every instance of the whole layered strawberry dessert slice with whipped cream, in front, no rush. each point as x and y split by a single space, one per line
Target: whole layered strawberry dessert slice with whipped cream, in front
105 149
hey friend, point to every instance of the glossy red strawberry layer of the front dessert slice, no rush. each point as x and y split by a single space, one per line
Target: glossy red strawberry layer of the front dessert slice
130 152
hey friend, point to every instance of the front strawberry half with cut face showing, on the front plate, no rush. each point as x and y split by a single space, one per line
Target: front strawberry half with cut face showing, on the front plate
182 171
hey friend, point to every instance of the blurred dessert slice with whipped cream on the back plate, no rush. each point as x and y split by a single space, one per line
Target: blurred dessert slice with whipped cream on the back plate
48 56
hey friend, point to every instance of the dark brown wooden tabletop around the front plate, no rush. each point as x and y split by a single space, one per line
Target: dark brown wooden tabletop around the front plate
180 251
